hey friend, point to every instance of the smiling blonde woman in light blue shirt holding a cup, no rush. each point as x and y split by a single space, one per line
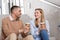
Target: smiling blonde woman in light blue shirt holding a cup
38 27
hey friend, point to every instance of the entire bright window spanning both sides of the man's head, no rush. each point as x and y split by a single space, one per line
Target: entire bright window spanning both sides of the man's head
7 4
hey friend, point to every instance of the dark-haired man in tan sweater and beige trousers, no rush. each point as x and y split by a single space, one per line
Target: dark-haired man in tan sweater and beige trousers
12 26
